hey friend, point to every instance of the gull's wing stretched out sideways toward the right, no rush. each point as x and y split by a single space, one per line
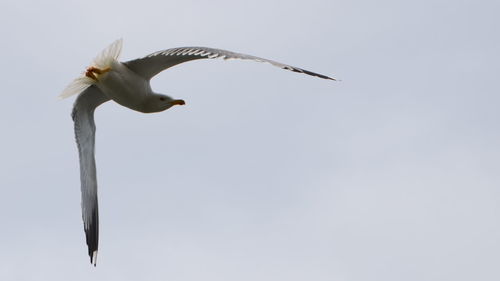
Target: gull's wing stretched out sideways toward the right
152 64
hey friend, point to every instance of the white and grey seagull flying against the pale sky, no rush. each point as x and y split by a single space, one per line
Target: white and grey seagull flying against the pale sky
128 84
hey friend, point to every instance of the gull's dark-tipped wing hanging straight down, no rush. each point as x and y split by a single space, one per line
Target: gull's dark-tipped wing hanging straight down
83 117
